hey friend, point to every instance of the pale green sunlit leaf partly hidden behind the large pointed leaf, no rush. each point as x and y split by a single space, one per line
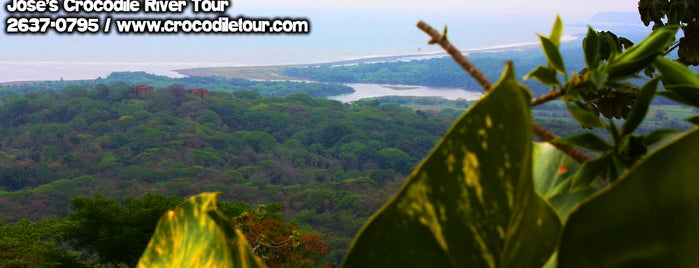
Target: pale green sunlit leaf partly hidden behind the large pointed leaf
553 174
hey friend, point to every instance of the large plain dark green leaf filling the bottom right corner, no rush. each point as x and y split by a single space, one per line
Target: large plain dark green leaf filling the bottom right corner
649 218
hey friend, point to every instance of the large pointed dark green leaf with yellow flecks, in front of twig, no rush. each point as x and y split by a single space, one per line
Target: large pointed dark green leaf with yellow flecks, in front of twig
471 201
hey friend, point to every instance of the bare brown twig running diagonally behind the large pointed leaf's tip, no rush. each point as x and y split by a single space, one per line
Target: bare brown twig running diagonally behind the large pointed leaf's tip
540 131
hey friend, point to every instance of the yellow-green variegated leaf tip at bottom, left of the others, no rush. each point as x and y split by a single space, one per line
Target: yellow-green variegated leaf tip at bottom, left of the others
196 235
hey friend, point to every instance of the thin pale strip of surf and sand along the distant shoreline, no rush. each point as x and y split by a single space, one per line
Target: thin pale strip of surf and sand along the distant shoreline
273 72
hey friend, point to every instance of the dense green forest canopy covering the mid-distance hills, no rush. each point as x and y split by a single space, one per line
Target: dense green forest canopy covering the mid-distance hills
330 164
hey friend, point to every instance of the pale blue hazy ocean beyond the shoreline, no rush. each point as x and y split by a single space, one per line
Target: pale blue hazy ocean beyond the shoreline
335 35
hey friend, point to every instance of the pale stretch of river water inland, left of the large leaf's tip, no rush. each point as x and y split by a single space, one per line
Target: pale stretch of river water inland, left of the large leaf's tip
365 90
